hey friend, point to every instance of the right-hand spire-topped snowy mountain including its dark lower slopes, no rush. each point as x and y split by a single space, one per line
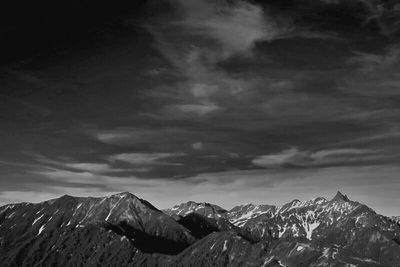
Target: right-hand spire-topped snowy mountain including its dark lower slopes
334 231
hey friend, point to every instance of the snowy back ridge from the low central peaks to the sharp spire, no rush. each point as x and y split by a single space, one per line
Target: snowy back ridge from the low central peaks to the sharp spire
296 218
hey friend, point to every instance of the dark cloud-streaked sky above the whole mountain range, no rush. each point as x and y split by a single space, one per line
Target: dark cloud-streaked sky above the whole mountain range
229 101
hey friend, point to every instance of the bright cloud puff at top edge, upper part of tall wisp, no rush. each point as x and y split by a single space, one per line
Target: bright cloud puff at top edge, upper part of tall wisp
235 25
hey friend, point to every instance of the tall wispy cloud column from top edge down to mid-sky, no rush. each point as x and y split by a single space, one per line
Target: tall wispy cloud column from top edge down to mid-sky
205 34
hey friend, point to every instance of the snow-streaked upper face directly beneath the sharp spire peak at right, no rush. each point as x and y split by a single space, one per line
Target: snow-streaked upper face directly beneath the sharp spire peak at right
297 218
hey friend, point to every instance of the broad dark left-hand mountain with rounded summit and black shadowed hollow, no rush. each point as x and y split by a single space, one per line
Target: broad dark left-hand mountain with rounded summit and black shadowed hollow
29 232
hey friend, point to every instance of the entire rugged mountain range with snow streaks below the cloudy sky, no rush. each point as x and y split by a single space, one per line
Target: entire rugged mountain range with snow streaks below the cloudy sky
124 230
